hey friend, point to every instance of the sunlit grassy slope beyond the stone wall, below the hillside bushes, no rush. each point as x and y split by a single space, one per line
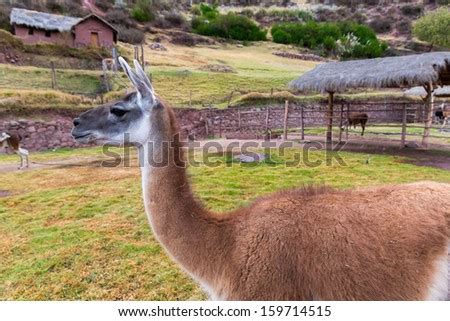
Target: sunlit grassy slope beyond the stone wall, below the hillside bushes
180 75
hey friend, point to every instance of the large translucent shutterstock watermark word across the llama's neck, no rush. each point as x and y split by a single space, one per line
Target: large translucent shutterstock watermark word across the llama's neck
229 152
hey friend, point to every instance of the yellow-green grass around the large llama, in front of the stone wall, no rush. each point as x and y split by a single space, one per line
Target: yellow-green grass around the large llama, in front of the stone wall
81 233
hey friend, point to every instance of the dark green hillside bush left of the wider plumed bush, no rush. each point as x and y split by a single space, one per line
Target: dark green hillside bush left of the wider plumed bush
231 26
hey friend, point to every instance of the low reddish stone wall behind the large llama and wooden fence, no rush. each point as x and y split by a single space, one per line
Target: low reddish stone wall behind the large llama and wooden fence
53 130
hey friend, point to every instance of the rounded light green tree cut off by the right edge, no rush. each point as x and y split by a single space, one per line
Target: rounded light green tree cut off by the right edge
434 28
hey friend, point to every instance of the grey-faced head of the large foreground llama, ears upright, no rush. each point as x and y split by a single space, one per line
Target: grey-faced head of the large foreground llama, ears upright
127 121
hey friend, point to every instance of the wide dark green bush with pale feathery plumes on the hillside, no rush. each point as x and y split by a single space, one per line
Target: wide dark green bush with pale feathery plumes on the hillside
350 39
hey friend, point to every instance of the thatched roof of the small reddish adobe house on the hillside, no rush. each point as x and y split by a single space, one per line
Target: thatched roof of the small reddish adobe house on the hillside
42 20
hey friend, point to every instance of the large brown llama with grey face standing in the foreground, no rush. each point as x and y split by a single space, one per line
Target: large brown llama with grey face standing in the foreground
379 243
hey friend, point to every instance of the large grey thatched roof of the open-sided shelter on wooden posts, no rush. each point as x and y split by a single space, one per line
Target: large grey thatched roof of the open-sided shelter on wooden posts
413 70
